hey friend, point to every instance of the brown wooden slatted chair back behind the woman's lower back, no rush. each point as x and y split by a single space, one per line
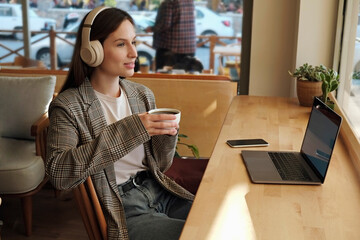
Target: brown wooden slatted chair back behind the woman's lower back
90 209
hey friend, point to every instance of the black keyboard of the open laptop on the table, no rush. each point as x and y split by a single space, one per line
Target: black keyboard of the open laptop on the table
289 166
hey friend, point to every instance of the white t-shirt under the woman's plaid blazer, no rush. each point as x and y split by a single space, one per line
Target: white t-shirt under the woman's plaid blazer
114 110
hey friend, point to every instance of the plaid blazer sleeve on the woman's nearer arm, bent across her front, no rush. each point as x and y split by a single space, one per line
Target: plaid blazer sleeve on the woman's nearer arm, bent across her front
70 161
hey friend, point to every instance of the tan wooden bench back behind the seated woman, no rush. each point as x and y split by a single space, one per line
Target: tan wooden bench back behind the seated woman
203 100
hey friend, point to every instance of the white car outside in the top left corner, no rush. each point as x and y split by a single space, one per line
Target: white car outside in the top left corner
11 19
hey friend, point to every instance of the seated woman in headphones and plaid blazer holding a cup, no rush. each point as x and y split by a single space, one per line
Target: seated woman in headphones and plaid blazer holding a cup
99 127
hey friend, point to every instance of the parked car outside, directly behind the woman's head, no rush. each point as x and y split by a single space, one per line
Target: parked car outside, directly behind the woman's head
41 49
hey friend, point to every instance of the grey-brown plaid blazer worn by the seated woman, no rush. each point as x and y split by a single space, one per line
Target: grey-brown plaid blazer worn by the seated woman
81 144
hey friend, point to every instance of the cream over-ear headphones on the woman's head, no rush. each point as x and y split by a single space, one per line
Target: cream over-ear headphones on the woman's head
91 52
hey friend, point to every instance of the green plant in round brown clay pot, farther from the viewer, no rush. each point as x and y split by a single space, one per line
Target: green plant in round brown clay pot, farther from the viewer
308 85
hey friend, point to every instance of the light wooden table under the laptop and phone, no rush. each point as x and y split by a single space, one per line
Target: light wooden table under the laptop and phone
229 206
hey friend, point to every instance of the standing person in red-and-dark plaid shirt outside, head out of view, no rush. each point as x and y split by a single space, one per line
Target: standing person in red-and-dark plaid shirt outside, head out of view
174 31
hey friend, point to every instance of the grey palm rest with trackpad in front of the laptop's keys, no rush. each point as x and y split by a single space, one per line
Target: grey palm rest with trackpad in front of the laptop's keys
260 167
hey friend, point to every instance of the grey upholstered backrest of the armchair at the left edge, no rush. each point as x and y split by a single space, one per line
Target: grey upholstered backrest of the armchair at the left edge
22 101
